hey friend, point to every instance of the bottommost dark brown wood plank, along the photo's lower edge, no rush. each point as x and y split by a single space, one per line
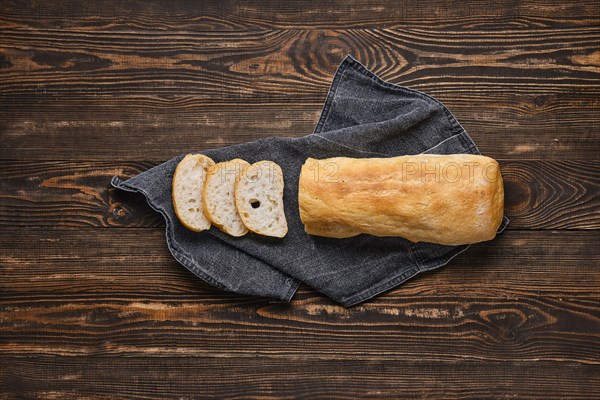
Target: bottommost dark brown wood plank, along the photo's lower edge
260 377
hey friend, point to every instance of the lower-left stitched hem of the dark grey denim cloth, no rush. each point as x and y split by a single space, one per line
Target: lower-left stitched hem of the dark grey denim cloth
292 283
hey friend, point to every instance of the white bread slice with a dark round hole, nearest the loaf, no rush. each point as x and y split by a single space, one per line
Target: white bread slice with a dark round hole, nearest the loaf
259 199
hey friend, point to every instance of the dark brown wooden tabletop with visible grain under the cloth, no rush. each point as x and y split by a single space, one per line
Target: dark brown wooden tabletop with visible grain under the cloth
92 305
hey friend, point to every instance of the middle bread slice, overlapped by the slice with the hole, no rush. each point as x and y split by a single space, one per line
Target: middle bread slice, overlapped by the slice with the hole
219 197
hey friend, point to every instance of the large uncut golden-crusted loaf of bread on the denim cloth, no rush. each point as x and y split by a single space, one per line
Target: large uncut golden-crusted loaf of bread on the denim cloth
446 199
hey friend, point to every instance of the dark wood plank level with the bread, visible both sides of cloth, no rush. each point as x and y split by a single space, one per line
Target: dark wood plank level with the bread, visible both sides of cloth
539 195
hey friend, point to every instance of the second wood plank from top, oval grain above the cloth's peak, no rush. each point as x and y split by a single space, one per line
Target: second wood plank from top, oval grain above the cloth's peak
294 65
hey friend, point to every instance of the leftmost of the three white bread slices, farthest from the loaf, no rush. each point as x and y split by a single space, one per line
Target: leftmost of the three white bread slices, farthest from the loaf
188 181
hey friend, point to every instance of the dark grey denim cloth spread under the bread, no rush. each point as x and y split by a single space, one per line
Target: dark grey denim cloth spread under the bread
363 116
